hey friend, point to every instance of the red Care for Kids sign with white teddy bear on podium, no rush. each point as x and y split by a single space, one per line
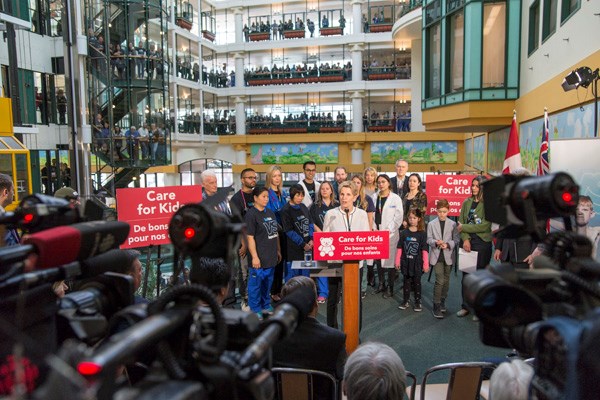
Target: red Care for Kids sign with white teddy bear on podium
331 246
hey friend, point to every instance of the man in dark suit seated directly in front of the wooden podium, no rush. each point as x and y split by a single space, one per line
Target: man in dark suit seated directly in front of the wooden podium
313 345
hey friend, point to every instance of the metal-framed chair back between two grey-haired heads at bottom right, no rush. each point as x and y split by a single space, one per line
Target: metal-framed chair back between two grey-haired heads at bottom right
464 382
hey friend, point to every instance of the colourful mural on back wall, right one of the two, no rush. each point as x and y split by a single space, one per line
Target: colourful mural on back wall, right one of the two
415 152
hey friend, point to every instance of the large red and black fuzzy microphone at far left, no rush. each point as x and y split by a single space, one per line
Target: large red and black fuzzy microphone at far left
78 242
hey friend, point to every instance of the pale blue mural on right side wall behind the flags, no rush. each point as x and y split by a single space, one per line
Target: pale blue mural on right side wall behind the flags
570 124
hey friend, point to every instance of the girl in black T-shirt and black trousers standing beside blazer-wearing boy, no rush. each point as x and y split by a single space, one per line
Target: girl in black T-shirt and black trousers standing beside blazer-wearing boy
412 257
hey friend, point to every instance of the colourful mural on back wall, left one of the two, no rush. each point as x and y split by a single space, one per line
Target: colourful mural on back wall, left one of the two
290 153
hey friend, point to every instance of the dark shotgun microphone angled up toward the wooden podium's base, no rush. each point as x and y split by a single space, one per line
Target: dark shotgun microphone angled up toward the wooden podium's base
287 315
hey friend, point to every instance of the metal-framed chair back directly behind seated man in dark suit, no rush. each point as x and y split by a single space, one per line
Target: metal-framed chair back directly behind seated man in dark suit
298 384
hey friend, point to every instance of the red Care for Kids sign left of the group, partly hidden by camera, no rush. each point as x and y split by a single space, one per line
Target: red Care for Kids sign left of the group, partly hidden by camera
149 210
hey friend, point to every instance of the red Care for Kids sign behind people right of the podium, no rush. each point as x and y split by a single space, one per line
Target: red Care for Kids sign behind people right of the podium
454 188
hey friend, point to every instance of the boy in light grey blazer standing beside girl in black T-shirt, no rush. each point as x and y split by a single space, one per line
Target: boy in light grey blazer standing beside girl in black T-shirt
442 236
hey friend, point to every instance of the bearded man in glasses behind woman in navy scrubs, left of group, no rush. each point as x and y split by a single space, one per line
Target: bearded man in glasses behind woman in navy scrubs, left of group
243 200
